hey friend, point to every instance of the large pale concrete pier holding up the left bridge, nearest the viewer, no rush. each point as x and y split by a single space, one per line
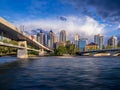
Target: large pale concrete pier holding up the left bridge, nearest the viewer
22 53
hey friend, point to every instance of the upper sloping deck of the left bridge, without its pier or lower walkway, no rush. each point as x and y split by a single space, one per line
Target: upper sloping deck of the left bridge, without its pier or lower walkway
12 32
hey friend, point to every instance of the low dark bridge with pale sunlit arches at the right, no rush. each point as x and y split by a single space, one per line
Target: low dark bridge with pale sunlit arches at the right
103 52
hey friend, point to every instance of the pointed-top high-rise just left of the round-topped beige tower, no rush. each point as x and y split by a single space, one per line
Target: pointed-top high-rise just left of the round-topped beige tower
52 39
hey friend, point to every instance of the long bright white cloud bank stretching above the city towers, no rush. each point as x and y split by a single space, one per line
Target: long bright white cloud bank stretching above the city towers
85 26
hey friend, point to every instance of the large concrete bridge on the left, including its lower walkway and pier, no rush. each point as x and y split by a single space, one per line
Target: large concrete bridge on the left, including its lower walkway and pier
12 32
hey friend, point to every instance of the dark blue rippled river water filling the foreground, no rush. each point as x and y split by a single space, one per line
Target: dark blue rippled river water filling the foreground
61 73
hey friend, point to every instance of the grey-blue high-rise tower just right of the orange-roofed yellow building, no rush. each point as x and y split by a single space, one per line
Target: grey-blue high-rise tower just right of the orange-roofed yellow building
99 40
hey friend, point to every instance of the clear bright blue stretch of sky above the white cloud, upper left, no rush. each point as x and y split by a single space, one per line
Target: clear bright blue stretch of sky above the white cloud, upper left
34 8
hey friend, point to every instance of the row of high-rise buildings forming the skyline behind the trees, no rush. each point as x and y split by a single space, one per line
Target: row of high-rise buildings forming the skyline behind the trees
62 38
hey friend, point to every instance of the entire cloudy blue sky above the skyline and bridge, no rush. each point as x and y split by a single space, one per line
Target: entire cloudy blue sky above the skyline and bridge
84 17
